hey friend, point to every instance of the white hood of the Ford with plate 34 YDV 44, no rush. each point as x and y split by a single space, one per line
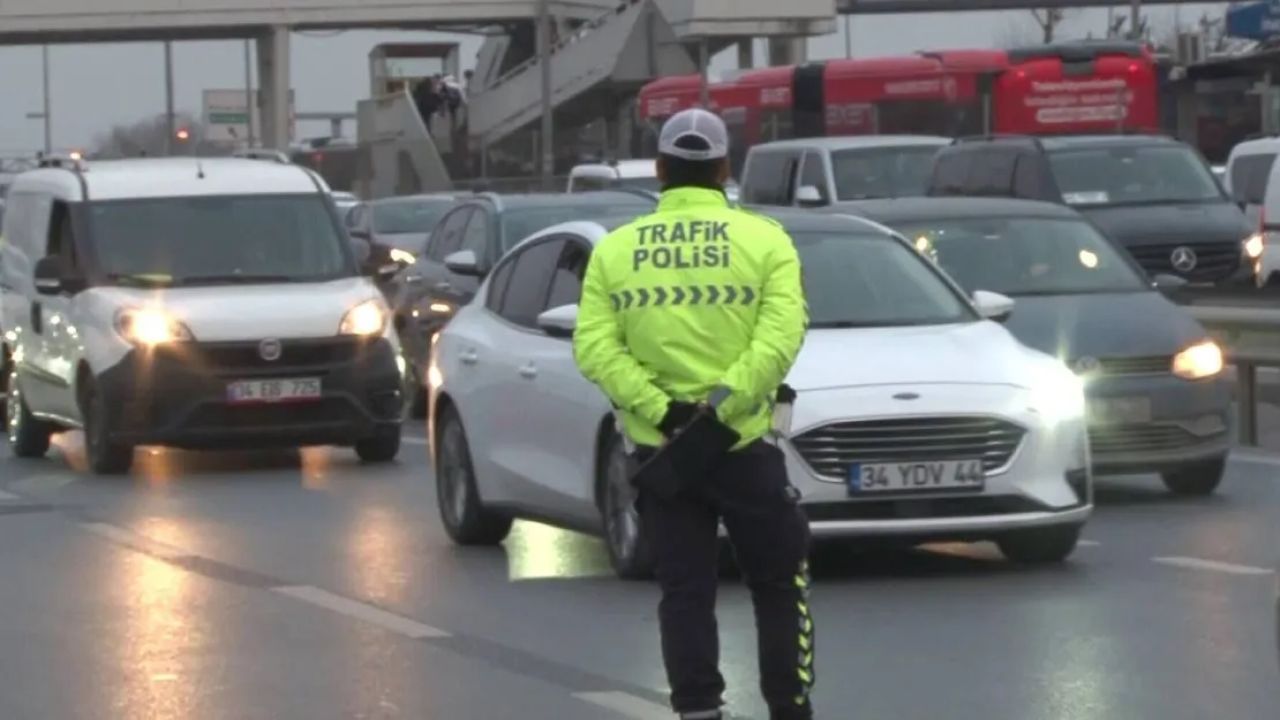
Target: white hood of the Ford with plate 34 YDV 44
962 354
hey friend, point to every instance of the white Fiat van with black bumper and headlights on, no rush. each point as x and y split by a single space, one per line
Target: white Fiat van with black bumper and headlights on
191 303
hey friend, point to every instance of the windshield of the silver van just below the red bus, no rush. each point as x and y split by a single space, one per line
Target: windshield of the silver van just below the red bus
883 172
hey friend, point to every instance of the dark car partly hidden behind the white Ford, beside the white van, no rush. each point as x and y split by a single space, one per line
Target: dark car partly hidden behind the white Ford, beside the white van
473 236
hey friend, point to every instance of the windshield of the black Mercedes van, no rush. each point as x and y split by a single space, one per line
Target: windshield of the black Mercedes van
1133 176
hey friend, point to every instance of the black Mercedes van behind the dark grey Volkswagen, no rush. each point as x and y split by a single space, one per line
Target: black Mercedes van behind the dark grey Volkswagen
1153 195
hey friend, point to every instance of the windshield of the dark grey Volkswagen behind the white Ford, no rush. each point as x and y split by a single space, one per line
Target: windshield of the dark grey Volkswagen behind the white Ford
1025 256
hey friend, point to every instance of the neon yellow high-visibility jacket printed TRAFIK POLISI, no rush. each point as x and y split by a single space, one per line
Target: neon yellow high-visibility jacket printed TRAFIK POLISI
696 297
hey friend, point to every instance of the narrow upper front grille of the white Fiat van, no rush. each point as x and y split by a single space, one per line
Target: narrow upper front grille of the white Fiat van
295 354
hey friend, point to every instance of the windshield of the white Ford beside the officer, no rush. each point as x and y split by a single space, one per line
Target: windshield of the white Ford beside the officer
870 281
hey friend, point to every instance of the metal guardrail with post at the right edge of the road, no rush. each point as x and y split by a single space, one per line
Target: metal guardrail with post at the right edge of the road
1251 340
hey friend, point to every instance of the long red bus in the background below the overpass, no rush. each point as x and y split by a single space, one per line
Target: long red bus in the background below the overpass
1081 88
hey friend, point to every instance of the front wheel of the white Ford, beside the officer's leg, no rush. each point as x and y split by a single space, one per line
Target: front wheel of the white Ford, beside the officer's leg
624 534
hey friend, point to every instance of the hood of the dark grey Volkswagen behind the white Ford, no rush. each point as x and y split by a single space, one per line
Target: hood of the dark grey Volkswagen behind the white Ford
1123 325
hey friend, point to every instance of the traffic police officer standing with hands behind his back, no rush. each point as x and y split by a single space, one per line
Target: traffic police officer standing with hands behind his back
693 302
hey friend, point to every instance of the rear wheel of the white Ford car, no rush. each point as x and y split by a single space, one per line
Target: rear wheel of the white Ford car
465 518
